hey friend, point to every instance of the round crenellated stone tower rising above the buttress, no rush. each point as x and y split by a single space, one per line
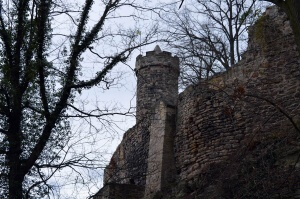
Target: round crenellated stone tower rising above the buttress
157 80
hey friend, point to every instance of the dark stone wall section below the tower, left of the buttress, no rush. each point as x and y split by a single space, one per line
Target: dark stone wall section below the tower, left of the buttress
128 163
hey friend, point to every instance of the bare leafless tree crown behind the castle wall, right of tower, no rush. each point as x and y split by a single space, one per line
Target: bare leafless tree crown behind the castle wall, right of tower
209 36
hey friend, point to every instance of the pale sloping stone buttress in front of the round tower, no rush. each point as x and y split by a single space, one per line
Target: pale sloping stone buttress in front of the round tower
160 172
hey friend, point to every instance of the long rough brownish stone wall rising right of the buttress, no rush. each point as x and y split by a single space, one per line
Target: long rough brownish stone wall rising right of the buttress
218 116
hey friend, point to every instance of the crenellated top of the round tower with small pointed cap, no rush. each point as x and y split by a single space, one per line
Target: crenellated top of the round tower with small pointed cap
157 57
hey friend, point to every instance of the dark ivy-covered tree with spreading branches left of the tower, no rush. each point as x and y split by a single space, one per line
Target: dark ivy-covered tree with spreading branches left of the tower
42 73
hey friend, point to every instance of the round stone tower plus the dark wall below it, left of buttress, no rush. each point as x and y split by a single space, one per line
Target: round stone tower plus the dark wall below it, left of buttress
157 74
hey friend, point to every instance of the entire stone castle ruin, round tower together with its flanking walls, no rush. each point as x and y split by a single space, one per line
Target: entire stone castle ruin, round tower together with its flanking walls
217 118
